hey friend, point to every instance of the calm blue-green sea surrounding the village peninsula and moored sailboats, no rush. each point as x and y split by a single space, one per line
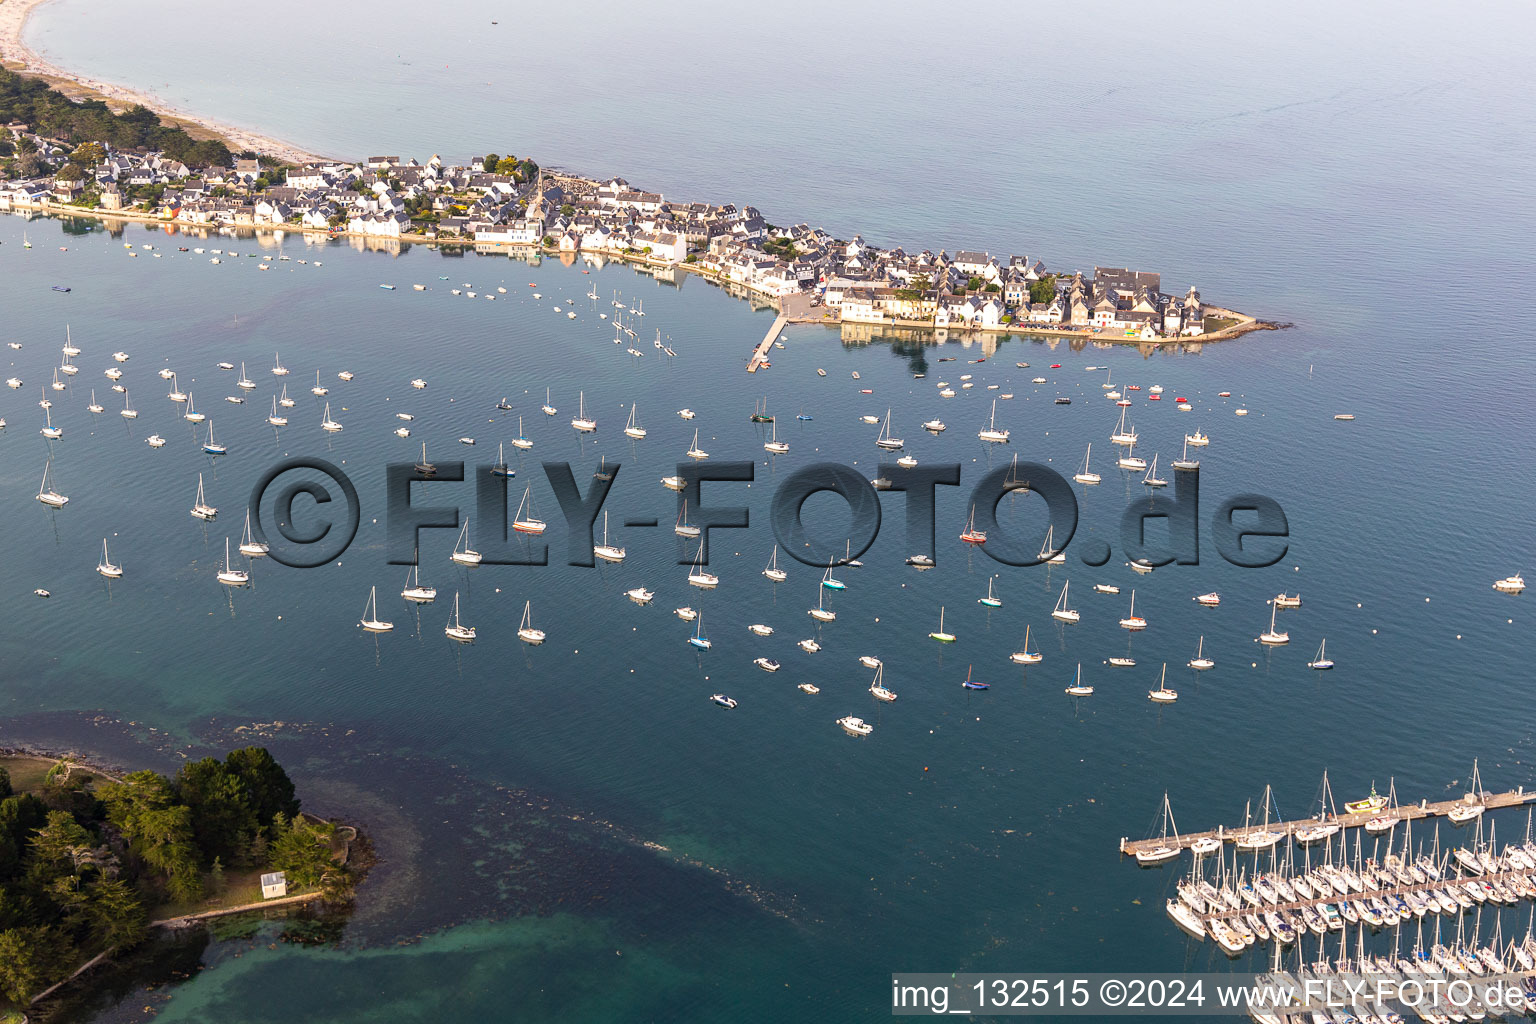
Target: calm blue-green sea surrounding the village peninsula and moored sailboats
1359 182
